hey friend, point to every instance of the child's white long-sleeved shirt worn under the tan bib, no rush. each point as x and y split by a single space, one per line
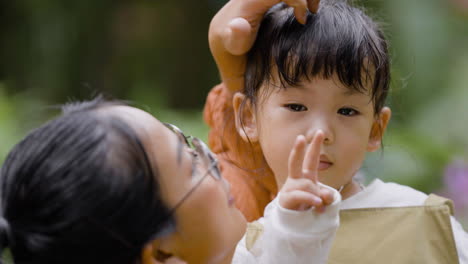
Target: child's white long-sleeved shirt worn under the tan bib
306 237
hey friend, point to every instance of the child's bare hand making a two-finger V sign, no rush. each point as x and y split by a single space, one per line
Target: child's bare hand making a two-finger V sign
301 190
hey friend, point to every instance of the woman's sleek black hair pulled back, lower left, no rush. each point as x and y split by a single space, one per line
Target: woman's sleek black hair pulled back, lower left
80 189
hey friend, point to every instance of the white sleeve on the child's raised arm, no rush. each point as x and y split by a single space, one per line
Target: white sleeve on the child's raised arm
291 236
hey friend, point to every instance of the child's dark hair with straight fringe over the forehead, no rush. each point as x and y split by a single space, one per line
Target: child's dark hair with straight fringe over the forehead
339 40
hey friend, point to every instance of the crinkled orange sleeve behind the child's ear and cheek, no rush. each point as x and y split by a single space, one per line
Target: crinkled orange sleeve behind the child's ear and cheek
242 164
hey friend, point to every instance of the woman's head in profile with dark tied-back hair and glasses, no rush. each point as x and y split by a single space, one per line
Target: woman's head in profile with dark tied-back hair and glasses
108 183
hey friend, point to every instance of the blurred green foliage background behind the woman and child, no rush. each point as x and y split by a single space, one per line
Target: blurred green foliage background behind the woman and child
155 53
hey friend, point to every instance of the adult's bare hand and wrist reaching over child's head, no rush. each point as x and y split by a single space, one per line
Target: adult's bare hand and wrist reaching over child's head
233 31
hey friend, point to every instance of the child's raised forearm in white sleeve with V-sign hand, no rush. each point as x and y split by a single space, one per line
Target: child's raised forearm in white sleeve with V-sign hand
300 225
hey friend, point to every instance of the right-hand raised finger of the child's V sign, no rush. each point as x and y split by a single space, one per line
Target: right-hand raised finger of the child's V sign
312 157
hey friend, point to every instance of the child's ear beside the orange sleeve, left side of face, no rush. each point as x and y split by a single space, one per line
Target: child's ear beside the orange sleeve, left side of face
244 115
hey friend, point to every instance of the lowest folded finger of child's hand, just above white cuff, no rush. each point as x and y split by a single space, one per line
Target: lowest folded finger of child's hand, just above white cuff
300 200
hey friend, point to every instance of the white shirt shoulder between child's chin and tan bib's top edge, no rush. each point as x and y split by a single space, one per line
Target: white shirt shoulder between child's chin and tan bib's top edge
385 194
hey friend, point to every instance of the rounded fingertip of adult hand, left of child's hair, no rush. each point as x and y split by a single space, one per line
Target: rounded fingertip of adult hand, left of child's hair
236 36
